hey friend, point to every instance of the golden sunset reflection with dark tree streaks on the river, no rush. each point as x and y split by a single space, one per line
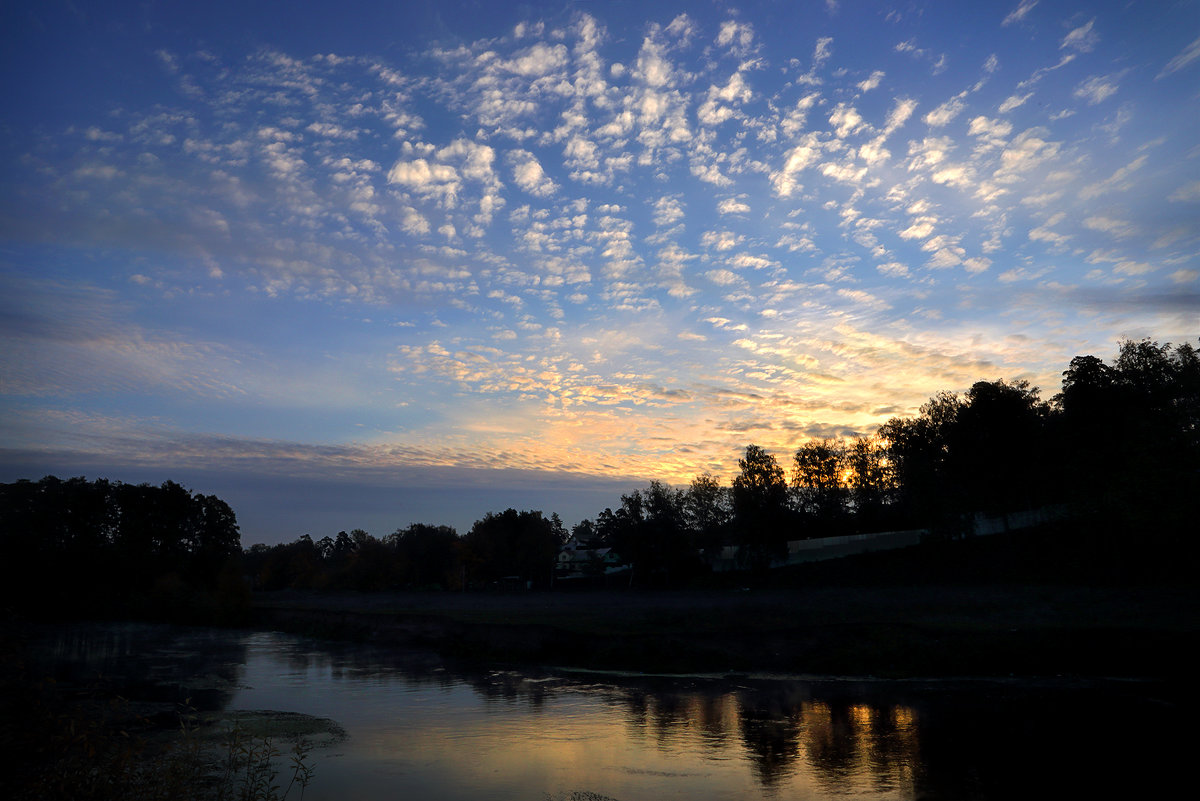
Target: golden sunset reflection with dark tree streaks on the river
628 743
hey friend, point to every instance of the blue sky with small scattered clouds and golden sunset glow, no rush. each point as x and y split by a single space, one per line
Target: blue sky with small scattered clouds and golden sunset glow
369 264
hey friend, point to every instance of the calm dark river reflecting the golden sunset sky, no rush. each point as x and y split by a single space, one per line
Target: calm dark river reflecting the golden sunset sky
417 728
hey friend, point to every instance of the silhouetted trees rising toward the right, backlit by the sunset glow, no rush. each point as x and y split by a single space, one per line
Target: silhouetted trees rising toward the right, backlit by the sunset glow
1119 448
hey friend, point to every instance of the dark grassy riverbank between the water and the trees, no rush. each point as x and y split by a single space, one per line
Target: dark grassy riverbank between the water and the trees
1138 633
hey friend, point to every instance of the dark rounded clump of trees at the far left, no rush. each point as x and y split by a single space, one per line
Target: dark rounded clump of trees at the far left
105 546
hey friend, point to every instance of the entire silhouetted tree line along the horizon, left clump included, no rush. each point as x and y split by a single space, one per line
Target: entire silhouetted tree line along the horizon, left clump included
1119 448
